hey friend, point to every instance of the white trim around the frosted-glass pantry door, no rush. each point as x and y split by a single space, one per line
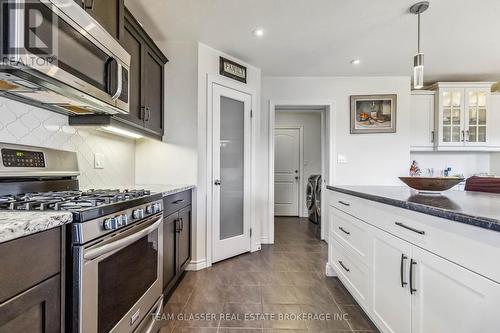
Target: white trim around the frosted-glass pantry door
230 84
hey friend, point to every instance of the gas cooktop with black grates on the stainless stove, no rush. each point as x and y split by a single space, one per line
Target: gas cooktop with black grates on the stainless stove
84 205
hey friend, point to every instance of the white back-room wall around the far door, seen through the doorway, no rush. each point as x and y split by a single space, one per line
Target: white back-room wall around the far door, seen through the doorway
311 123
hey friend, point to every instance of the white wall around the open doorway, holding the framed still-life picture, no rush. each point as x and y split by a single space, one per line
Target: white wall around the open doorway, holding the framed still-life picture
374 159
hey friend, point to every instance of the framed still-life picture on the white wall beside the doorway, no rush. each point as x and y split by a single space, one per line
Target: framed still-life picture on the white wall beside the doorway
373 113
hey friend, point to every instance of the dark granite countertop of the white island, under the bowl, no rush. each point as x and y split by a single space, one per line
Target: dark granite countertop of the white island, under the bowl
474 208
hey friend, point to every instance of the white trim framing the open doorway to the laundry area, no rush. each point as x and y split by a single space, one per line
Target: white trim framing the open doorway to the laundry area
327 165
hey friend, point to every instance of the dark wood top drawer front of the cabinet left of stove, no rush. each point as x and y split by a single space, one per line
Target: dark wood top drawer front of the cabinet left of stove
29 260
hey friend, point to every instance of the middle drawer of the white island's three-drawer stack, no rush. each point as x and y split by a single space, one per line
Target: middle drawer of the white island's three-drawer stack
351 232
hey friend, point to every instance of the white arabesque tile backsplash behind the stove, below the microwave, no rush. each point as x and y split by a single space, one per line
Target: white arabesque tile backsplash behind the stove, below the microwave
24 124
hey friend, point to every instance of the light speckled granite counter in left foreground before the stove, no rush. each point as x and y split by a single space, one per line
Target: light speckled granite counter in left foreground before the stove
15 224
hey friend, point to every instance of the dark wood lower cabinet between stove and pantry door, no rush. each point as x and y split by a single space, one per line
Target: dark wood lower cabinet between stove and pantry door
176 238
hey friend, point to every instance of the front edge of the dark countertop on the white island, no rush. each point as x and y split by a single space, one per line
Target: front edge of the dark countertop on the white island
482 222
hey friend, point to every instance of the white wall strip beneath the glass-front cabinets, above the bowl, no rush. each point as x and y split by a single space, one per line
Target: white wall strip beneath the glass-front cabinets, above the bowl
464 163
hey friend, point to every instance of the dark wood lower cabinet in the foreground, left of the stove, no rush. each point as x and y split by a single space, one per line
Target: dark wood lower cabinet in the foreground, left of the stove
31 275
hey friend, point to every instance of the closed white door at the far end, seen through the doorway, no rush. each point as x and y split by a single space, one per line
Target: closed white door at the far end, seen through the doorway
286 171
